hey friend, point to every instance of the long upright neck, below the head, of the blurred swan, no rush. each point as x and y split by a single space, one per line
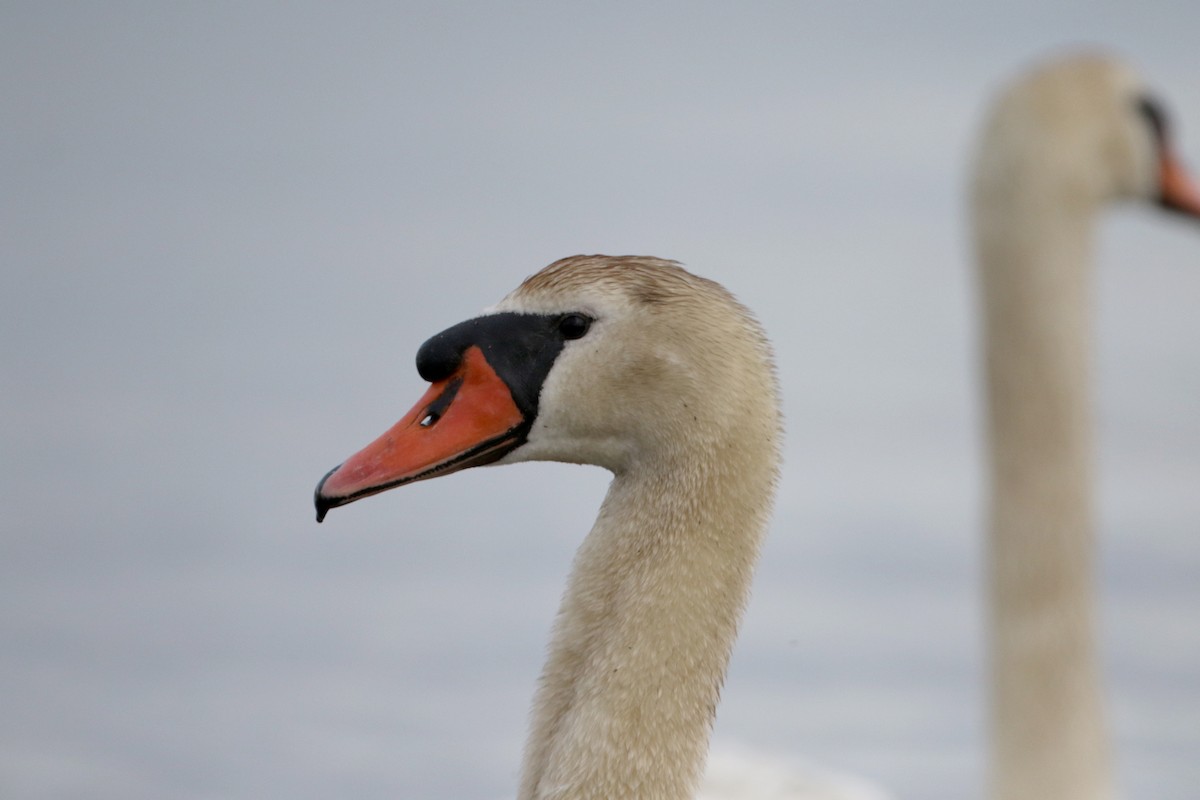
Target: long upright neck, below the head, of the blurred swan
1048 732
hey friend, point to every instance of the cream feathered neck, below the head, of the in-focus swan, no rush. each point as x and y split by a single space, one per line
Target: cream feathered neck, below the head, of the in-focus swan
644 636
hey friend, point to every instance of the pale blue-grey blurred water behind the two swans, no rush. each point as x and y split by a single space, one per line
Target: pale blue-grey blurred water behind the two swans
226 228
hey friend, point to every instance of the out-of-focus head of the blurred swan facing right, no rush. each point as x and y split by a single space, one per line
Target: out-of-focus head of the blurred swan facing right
1082 133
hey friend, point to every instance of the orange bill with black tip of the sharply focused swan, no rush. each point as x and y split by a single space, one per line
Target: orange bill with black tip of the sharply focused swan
465 420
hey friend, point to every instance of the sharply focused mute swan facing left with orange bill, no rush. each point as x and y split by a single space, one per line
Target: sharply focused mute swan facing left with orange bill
662 377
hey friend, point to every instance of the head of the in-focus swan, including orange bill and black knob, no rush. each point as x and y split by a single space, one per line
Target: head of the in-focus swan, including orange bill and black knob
625 363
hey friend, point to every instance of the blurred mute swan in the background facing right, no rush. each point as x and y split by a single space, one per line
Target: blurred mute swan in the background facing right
1060 145
